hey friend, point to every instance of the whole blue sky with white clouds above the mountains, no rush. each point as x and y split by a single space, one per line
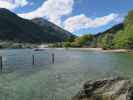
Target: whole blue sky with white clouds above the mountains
77 16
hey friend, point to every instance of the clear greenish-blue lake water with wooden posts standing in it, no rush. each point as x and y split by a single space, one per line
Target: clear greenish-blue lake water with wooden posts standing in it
59 81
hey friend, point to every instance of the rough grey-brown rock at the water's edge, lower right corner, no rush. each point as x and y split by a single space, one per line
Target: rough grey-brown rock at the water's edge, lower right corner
106 89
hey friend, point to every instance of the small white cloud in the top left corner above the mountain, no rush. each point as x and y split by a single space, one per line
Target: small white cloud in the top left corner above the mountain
12 4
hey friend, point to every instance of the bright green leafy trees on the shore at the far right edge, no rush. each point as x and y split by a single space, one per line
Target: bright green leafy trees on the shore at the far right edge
122 38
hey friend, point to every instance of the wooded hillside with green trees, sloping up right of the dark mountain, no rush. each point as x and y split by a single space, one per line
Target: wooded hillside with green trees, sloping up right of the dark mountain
119 36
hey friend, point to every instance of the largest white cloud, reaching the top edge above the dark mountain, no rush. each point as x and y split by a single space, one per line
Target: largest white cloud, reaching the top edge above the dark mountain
52 9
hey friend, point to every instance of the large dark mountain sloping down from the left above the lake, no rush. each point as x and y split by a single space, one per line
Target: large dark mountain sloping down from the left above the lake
16 29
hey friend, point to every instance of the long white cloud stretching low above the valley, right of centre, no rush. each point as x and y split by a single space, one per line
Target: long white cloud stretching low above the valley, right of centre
83 22
